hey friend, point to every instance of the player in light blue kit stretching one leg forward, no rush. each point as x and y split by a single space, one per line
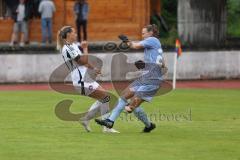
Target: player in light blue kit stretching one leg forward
146 86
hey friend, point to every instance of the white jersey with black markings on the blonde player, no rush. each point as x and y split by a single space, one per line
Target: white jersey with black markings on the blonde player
69 53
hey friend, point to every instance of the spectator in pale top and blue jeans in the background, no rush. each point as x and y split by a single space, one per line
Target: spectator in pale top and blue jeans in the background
46 8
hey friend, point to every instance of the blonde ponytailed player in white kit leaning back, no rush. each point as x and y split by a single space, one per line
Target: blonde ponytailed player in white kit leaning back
77 63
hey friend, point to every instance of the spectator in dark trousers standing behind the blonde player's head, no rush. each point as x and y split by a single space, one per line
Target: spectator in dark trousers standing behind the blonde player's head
81 10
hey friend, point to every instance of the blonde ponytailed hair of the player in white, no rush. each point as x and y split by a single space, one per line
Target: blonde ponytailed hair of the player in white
62 35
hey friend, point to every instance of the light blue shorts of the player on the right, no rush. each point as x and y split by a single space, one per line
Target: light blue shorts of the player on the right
145 88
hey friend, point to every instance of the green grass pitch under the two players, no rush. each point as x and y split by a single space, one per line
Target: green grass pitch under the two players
197 124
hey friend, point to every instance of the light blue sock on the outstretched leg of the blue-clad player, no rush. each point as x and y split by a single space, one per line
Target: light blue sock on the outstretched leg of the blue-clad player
118 109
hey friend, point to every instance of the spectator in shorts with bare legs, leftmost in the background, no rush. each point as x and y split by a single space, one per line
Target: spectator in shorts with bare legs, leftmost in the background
20 17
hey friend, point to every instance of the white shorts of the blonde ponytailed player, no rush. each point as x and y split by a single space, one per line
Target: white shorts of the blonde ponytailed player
89 87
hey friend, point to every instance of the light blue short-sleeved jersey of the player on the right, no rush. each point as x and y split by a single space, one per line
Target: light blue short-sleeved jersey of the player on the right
152 56
